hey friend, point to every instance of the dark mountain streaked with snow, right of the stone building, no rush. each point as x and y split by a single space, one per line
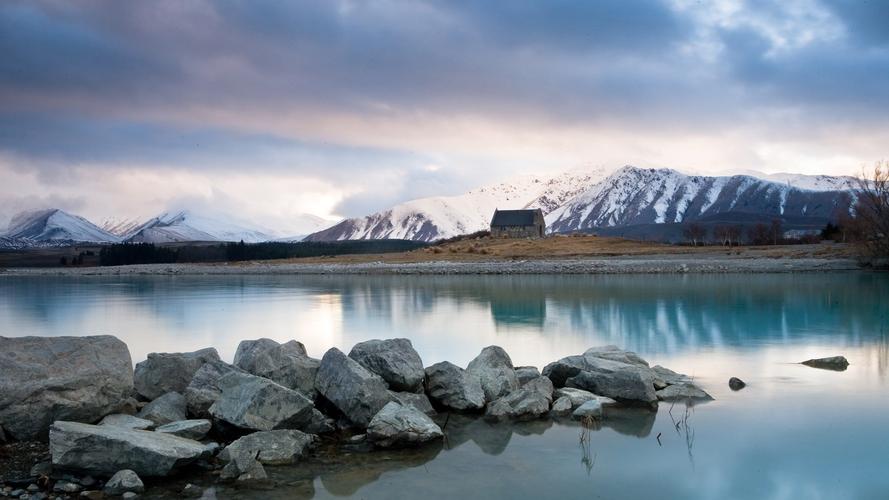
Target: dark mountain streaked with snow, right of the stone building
635 196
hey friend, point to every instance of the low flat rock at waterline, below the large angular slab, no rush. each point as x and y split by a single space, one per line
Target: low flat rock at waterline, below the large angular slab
271 447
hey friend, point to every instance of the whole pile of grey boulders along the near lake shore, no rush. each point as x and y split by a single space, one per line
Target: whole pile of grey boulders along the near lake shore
109 426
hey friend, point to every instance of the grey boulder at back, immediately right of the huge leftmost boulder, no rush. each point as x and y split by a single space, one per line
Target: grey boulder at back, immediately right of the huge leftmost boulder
165 372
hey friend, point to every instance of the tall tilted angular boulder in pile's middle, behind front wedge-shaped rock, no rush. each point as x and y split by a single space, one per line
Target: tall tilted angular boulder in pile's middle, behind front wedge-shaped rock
354 390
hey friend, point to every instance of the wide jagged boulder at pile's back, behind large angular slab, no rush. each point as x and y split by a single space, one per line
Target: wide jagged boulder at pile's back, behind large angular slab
287 364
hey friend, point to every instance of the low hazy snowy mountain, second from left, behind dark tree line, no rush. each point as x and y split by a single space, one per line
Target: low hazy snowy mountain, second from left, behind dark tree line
185 226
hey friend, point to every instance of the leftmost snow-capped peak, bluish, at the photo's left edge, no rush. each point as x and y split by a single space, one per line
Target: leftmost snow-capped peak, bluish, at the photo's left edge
54 225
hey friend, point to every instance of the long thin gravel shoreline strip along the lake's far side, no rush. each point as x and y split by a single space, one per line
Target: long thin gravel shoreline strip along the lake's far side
649 264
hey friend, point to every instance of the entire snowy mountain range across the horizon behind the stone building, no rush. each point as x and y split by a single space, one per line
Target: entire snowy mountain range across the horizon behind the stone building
630 201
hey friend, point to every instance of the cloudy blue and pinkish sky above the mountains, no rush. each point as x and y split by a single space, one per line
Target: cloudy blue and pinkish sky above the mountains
274 109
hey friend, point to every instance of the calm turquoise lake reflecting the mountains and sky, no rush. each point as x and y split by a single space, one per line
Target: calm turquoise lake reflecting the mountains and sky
794 432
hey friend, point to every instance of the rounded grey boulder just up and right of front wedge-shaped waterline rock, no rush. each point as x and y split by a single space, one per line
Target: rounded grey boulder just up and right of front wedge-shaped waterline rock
450 386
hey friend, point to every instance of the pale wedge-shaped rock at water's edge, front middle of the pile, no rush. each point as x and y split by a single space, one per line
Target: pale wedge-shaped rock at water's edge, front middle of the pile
398 425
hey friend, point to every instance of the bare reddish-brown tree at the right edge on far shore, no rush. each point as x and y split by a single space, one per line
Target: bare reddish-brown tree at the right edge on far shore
872 210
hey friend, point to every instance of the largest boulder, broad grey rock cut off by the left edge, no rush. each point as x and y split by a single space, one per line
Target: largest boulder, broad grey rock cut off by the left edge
45 379
